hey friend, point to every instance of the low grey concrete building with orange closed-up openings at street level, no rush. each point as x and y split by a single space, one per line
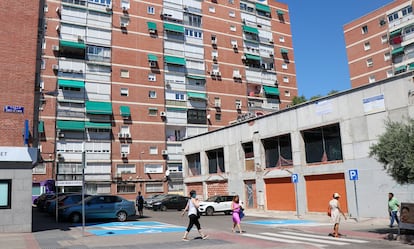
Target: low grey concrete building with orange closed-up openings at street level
295 159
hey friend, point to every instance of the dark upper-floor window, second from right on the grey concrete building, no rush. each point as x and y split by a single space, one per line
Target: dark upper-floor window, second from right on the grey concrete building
278 151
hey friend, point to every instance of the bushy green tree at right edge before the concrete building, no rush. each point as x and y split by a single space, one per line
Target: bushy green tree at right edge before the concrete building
395 150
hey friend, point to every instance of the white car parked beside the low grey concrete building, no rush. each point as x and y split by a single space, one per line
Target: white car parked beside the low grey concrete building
217 203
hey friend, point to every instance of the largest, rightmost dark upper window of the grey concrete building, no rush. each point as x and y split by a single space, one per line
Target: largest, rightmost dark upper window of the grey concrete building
323 144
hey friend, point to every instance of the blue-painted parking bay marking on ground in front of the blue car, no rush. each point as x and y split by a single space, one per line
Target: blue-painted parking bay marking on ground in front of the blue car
135 227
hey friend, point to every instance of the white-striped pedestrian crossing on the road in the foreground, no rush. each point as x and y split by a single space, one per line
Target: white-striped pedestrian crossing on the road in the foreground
303 238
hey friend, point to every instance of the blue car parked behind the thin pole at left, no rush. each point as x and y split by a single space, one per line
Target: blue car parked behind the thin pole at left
99 207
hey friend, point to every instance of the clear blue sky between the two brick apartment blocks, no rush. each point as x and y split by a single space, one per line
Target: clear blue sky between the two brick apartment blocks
319 44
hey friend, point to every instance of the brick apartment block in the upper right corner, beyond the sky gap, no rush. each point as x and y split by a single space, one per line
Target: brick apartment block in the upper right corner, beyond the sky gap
379 44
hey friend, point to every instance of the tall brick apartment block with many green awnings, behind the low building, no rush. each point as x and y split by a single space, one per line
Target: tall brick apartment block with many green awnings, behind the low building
123 82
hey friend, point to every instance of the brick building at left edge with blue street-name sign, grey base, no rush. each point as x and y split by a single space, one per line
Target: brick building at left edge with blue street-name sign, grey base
19 91
